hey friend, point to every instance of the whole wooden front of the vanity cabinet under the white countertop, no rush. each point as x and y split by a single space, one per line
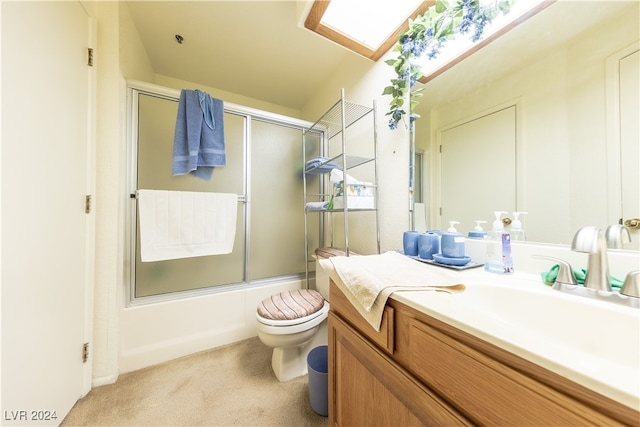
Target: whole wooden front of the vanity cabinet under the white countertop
419 370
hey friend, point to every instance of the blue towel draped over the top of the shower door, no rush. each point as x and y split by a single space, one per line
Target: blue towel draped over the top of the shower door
198 144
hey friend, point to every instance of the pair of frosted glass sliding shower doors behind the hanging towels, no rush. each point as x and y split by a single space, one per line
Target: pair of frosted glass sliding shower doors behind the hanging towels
264 163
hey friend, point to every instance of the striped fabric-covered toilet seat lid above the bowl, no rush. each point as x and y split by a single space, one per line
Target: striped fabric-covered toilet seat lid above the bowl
291 305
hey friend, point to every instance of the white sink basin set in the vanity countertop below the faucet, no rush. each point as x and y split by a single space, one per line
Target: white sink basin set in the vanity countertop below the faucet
598 329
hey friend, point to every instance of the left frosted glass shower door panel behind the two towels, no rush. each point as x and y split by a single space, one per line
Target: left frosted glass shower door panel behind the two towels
156 125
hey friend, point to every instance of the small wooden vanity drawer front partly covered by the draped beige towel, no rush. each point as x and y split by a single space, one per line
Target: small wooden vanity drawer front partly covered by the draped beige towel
342 306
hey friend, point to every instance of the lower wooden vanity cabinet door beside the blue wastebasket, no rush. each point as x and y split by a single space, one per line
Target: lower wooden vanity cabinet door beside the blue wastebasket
366 388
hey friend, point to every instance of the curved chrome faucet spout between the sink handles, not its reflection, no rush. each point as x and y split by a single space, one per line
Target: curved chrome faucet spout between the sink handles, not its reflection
591 240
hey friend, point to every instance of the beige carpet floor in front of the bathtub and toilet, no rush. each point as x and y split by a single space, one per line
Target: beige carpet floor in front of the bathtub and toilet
228 386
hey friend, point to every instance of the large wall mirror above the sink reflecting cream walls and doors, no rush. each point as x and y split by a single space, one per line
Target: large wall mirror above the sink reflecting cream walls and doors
568 77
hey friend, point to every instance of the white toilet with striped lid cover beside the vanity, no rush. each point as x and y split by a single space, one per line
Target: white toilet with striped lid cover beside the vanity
293 323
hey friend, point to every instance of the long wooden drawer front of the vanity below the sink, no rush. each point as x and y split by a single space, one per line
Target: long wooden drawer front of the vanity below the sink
487 391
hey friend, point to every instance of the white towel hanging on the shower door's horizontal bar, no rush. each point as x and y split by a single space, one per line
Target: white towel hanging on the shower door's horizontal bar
183 224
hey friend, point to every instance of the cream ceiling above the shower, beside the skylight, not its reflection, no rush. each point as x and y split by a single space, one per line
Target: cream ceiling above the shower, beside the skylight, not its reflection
252 48
